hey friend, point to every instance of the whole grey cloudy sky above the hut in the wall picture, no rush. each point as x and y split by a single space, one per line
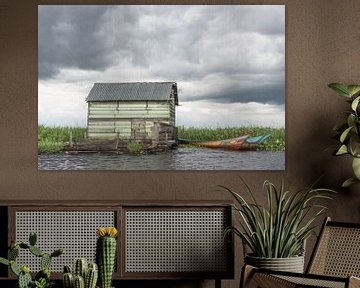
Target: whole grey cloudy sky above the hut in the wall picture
228 61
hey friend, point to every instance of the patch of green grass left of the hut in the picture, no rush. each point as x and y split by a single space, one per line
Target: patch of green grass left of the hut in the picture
53 139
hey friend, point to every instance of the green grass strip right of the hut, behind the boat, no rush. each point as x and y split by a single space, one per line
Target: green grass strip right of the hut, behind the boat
276 141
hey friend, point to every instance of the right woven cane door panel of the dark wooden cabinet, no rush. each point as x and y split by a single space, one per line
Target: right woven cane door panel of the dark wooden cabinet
175 241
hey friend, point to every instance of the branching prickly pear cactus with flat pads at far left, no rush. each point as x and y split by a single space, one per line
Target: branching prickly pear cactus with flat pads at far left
42 278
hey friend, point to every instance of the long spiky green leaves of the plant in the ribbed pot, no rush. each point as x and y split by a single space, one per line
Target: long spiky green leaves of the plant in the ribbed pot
279 229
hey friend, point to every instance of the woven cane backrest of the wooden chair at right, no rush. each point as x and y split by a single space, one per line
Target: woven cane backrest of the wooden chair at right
337 251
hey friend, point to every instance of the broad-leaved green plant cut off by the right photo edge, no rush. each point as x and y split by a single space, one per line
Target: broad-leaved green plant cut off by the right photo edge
349 131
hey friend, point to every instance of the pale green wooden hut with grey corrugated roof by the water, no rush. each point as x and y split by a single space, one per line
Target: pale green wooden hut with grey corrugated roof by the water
141 111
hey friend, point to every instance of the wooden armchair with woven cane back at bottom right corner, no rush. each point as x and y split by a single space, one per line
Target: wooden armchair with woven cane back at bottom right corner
335 262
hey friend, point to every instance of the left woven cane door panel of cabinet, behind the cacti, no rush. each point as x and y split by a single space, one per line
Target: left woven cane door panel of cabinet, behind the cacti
74 231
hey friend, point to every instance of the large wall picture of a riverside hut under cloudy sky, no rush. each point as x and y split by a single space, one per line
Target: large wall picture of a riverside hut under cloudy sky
158 87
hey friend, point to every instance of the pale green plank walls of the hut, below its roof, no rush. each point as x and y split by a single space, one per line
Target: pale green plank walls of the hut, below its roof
128 119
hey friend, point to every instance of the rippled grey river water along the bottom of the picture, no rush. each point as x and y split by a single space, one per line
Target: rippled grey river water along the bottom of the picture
179 159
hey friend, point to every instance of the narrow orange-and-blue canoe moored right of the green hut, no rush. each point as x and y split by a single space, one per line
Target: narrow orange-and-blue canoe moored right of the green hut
244 142
